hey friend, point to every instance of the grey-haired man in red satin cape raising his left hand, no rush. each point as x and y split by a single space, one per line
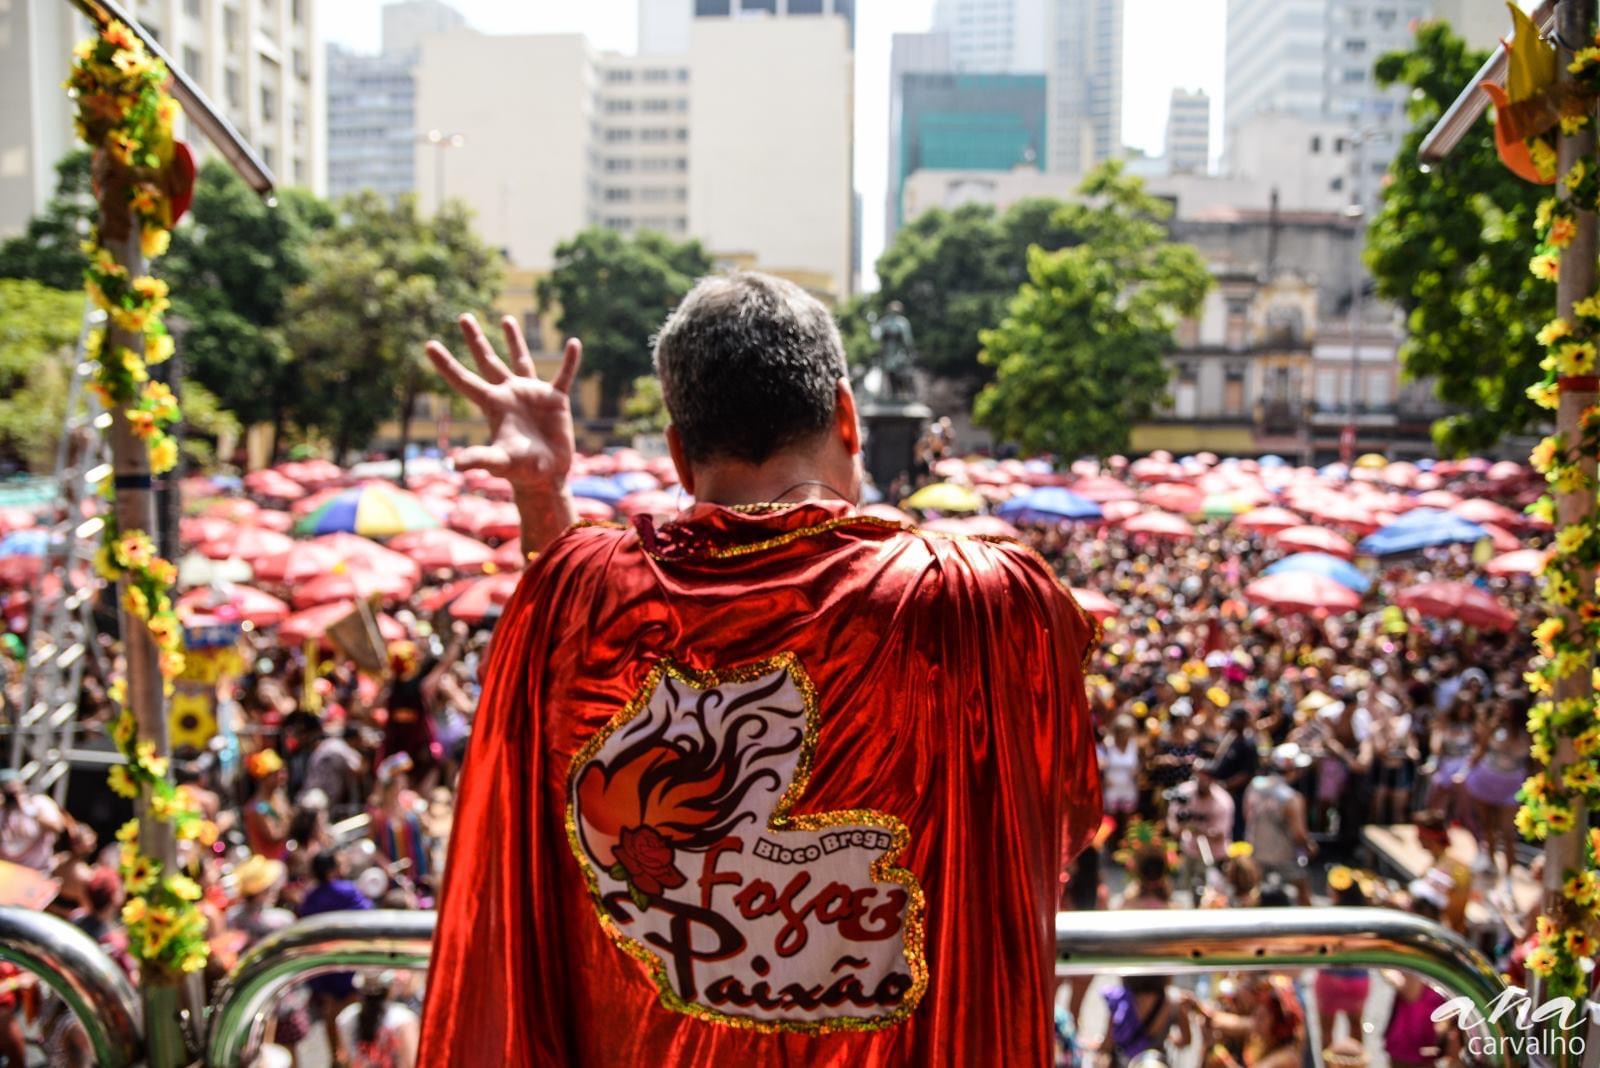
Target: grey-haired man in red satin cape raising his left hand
774 783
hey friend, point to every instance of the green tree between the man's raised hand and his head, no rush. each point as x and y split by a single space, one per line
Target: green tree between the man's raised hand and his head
614 292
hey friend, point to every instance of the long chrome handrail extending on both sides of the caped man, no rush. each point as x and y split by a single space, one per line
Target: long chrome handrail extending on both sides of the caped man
1127 942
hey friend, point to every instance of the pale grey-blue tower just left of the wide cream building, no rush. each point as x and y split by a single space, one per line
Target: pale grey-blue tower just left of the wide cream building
372 110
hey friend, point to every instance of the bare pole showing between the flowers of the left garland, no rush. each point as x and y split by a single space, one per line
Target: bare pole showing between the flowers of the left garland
135 509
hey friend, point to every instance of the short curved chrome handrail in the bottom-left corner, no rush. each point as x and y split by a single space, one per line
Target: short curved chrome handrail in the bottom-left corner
78 970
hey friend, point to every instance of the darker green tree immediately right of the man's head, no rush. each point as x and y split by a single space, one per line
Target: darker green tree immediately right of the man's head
954 273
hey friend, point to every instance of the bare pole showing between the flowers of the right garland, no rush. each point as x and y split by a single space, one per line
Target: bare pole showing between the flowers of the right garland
1566 853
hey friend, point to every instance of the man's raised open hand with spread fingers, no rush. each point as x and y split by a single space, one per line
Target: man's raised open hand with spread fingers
530 421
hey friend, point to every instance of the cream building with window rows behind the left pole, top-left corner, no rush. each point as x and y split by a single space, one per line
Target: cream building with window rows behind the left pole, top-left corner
255 60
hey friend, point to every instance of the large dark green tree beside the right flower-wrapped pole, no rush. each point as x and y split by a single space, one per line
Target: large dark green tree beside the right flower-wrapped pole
1450 247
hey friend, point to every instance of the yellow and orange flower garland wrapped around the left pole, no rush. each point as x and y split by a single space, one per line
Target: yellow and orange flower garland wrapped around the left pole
142 183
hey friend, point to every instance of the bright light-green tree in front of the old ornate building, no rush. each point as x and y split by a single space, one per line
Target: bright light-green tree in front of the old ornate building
1081 353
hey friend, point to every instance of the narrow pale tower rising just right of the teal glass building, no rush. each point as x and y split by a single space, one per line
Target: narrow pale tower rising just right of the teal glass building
1084 71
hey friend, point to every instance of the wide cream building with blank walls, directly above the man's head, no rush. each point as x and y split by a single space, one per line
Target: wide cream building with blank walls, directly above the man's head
743 140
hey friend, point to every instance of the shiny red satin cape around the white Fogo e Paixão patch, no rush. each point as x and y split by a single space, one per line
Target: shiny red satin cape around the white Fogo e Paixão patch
948 698
